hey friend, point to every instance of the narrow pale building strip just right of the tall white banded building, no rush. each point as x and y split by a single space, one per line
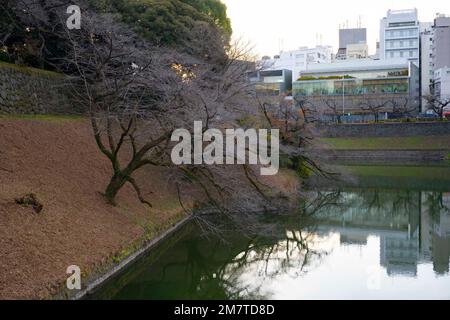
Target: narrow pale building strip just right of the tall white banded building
426 62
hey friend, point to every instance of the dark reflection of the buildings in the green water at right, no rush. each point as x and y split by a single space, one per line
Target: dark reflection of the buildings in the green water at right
413 227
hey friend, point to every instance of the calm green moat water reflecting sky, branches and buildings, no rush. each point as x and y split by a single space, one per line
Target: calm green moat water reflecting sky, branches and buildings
353 243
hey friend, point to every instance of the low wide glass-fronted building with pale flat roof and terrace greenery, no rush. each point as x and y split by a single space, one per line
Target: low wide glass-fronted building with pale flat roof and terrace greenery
347 85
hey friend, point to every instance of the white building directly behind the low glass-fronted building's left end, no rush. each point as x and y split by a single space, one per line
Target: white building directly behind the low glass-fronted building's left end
300 59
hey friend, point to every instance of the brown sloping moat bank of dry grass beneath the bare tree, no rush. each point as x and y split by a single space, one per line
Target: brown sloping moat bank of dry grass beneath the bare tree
56 159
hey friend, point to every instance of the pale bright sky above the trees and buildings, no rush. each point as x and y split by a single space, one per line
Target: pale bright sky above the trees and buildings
271 25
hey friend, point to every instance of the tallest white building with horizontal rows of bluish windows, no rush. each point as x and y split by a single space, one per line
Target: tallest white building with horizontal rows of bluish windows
399 36
